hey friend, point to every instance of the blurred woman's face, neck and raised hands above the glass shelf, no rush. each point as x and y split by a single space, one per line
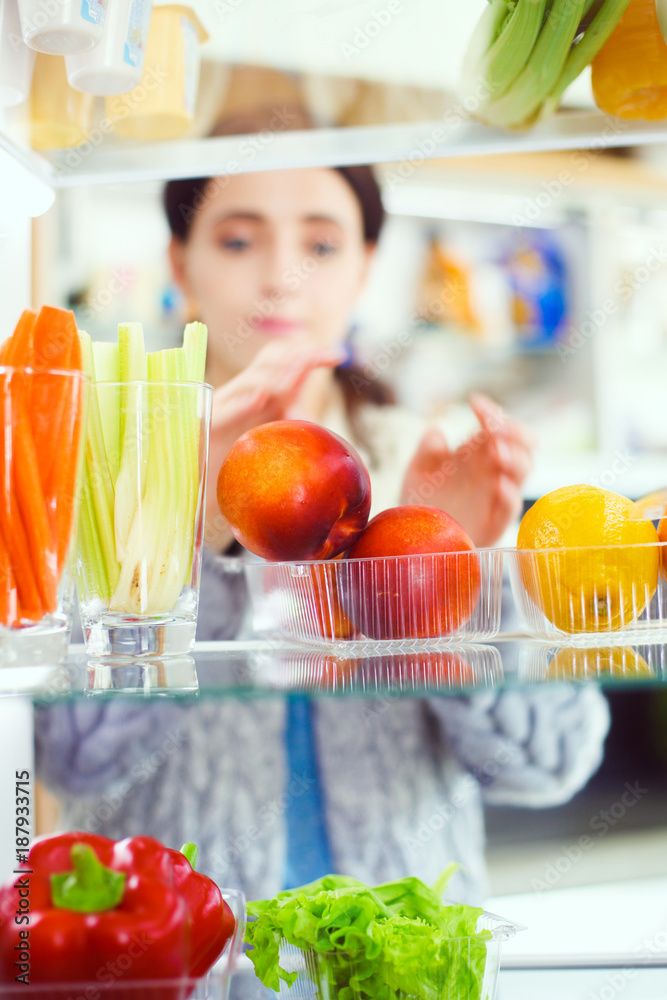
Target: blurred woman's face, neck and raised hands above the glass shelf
274 264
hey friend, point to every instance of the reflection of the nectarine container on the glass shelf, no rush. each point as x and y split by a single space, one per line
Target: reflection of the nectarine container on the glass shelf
456 668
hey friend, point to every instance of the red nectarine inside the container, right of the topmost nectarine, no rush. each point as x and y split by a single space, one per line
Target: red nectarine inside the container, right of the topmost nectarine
432 591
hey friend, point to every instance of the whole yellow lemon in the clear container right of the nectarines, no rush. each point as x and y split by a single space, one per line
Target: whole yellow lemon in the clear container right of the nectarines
594 569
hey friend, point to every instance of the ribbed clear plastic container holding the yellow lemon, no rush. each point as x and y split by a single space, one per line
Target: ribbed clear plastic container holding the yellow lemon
591 594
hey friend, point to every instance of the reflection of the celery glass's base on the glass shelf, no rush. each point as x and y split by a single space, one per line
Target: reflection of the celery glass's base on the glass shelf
175 675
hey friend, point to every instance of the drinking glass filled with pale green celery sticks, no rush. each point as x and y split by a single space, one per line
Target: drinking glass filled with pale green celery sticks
141 518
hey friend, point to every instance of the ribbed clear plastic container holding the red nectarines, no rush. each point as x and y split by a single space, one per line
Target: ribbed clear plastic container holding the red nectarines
397 602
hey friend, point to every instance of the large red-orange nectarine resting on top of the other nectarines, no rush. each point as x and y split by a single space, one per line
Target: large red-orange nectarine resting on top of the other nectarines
292 490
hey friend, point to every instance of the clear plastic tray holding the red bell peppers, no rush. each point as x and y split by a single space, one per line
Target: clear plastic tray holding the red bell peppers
115 979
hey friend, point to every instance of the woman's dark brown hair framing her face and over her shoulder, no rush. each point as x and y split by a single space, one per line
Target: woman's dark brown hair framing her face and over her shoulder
182 198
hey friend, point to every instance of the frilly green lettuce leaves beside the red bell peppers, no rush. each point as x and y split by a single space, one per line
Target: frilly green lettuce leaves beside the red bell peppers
388 942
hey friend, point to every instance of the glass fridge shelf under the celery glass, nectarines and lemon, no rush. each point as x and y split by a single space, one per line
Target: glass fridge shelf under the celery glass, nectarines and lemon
260 668
